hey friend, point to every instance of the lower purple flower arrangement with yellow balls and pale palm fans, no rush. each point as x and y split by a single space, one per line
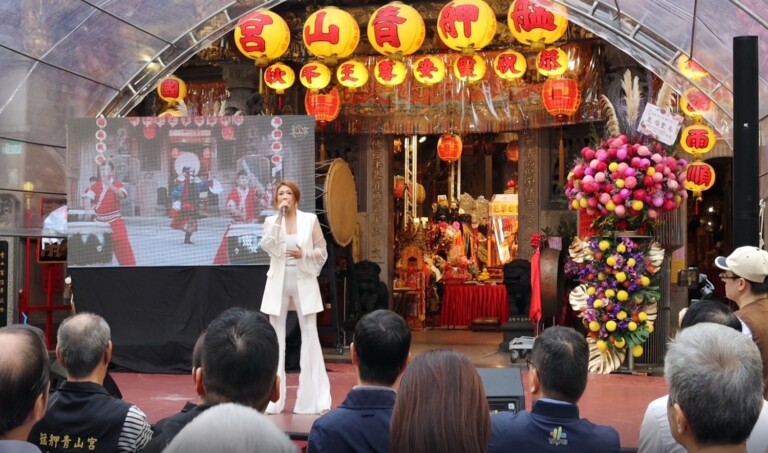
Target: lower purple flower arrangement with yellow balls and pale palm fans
617 297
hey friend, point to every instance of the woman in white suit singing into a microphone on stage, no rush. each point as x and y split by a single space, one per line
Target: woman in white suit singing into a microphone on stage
297 250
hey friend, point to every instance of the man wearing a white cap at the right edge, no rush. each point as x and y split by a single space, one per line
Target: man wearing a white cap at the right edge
745 281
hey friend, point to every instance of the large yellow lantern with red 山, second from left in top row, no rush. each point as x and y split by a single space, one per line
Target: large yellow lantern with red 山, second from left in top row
331 34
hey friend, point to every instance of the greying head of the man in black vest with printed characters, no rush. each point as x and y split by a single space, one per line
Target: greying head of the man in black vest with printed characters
84 346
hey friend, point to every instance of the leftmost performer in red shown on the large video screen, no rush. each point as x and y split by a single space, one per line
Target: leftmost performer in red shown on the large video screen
102 198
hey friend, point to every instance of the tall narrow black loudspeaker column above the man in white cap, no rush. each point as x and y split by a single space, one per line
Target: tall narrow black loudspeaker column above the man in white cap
746 162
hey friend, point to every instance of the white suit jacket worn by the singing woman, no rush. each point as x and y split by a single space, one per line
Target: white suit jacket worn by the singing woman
308 267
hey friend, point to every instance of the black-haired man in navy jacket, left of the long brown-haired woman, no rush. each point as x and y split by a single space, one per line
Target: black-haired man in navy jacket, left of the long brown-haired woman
380 351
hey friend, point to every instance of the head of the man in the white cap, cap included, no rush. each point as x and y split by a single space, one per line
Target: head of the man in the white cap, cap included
746 271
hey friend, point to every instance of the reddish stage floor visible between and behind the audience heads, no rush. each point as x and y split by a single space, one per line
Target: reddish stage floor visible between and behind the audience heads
618 400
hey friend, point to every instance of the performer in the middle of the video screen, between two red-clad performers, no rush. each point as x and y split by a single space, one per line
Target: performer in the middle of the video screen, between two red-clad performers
185 203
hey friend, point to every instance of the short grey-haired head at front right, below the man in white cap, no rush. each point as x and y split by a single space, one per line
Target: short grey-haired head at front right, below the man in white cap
715 379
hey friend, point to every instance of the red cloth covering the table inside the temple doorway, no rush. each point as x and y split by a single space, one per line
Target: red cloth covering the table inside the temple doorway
463 303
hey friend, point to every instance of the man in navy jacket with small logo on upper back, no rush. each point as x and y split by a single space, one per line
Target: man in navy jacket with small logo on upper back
557 378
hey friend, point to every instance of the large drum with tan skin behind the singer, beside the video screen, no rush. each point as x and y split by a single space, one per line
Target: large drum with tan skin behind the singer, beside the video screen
336 199
